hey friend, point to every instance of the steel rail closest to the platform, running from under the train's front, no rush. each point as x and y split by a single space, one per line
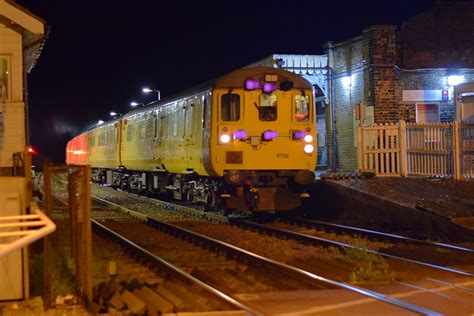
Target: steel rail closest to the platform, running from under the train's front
368 233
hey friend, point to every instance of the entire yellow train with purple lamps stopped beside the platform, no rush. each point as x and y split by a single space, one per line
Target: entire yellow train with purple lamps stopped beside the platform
243 142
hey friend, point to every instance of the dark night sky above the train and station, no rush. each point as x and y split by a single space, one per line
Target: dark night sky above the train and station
99 54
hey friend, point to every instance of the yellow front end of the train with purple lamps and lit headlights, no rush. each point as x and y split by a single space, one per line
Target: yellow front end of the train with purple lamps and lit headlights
263 138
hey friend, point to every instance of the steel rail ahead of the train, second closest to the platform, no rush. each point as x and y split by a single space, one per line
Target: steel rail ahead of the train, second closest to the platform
322 241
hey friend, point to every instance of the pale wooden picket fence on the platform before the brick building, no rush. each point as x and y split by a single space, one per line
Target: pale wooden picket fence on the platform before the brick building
424 149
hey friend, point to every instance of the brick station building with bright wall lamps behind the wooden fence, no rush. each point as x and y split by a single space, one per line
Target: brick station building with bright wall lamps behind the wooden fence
389 74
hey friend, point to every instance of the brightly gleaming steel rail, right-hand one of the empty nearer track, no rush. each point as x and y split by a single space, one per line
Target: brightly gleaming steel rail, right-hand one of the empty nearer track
299 273
